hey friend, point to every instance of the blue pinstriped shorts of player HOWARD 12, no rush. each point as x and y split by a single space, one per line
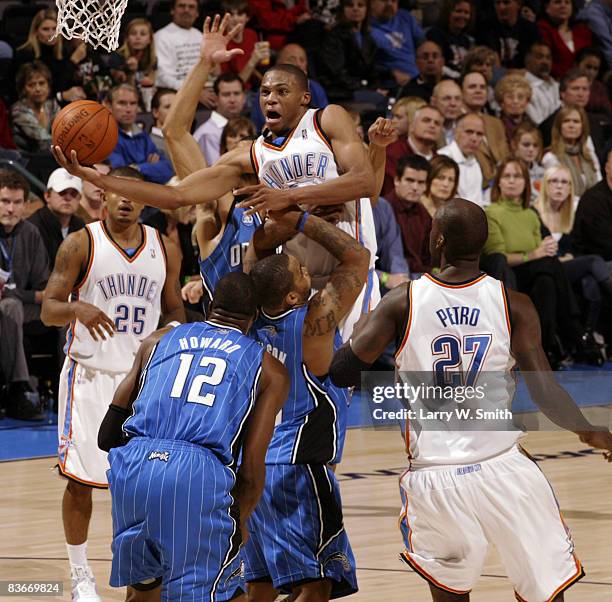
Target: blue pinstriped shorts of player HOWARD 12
174 518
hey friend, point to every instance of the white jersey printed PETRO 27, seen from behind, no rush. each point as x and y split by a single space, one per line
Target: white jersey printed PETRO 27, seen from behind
458 328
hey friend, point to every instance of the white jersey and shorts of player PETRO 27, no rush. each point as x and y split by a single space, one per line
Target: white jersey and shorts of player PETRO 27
465 490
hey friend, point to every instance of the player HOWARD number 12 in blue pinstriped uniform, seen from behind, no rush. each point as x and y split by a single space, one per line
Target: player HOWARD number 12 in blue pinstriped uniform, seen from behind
194 396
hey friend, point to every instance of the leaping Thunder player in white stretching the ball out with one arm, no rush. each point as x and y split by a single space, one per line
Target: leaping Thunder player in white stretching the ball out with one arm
302 147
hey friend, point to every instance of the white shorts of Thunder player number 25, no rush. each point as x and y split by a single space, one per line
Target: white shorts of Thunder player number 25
84 397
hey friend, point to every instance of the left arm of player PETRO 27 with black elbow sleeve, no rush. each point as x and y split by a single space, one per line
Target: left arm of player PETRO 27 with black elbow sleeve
372 335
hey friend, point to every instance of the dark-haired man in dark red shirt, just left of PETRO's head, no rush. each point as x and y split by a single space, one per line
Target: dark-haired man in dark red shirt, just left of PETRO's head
412 217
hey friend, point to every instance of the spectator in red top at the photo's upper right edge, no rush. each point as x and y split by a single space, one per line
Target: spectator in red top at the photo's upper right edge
564 37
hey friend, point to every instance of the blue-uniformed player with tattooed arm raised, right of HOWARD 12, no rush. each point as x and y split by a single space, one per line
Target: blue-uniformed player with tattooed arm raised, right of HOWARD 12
297 538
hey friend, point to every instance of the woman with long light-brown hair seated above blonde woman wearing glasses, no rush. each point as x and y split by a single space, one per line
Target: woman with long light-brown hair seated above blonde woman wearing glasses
568 147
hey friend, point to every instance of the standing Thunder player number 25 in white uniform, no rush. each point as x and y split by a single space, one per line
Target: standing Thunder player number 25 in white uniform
111 282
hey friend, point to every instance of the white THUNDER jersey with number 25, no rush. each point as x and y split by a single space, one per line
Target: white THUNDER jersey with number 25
127 289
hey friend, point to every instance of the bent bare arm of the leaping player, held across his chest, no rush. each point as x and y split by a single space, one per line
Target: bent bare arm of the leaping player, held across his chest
357 179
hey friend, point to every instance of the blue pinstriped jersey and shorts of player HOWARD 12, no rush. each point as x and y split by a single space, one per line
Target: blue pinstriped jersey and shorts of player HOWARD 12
173 513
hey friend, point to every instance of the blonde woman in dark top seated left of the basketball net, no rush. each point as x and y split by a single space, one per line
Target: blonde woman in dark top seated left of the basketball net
42 46
